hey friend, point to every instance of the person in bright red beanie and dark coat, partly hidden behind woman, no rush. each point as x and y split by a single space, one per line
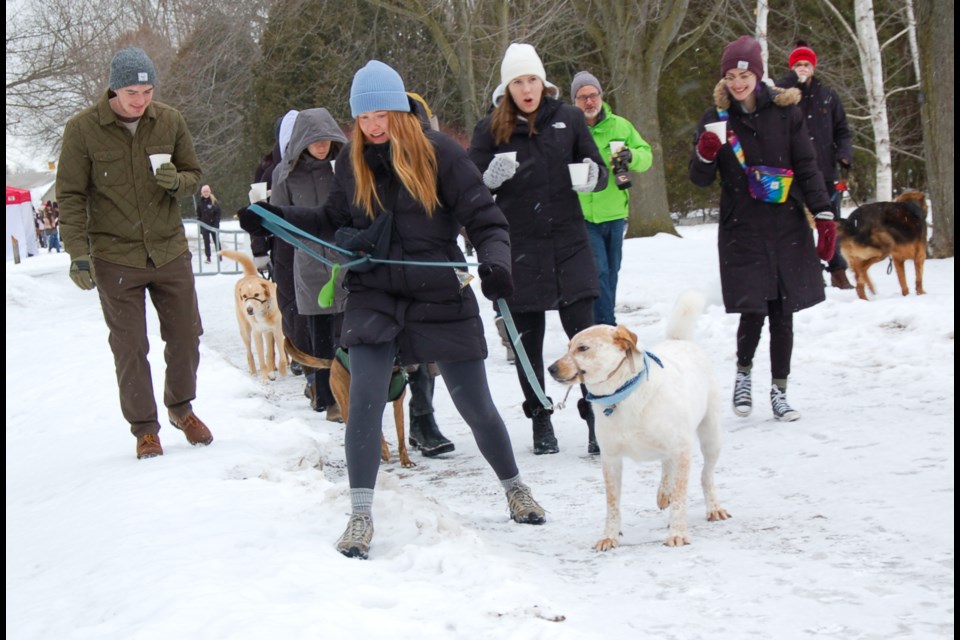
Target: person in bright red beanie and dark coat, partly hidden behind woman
827 125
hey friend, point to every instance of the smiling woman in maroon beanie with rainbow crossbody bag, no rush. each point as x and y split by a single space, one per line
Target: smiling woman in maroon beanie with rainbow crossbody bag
768 262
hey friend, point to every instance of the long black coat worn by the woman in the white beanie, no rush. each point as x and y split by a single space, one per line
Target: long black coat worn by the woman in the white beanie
553 264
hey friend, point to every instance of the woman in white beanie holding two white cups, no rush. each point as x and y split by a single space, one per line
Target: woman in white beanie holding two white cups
553 266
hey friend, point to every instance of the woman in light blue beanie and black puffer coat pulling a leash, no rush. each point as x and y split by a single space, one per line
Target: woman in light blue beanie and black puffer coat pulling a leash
408 191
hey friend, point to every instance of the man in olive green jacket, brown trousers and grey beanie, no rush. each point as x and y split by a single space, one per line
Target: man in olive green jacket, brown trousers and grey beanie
120 223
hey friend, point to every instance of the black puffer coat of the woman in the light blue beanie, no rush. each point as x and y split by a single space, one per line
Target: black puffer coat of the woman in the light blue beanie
424 308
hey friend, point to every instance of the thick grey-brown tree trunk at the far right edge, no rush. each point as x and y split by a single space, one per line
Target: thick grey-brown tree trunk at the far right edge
935 20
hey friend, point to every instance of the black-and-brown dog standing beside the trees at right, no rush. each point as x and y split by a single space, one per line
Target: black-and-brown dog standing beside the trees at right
880 229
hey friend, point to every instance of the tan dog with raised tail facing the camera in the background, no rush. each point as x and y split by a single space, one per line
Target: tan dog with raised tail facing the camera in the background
258 317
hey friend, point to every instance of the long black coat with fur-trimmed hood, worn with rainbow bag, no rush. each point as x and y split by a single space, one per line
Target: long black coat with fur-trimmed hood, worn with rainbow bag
766 250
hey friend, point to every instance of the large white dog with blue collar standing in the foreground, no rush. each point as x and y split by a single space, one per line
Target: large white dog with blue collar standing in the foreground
650 405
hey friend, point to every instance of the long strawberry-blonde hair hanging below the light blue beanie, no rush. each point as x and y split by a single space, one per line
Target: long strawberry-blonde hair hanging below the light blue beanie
414 159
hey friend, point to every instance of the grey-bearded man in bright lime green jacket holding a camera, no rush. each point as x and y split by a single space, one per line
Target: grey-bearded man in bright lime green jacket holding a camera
606 211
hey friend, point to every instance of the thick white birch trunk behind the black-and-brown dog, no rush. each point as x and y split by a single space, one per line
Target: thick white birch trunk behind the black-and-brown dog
872 65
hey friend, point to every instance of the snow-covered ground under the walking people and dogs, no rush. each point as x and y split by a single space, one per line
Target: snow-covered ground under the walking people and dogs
843 522
